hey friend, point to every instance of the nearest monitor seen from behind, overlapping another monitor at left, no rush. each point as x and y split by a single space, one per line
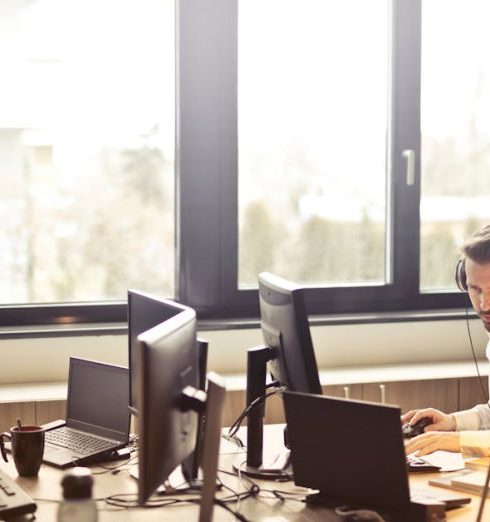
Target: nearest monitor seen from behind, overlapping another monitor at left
168 400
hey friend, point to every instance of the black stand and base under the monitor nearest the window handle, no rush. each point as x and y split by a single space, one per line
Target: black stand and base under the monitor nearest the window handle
276 465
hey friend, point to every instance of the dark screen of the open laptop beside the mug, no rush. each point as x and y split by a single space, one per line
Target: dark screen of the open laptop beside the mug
98 398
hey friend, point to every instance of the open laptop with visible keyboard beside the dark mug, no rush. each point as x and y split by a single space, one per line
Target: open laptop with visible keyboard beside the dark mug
97 416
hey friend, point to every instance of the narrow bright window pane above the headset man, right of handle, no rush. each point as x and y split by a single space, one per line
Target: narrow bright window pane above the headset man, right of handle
455 119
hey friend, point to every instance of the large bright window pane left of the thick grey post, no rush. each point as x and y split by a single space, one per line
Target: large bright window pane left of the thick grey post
86 149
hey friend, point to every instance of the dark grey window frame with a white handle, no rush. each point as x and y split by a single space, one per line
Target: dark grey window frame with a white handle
206 192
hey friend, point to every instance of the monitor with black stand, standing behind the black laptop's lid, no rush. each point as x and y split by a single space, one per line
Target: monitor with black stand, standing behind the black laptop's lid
288 353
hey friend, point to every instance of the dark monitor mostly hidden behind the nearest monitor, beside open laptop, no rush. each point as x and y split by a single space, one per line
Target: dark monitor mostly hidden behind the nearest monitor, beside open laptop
144 312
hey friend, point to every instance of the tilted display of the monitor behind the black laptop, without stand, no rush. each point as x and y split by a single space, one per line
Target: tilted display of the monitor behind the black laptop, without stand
286 330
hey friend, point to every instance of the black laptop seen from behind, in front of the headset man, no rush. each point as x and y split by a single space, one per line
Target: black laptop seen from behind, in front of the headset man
353 452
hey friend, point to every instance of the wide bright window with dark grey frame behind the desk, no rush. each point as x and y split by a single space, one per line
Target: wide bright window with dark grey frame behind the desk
340 144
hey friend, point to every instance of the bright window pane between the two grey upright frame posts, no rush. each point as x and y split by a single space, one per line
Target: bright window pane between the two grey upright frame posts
312 112
